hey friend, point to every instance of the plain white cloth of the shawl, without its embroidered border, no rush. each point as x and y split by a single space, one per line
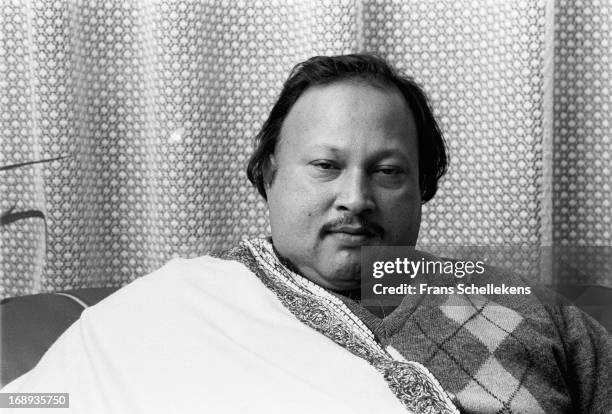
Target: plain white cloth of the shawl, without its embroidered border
203 335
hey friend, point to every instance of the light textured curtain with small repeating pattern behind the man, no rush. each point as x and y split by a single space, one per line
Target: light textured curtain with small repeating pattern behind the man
155 105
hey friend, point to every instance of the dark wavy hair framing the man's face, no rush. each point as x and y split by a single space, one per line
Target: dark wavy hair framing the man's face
323 70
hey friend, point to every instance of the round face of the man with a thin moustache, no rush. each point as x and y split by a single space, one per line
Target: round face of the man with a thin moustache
345 174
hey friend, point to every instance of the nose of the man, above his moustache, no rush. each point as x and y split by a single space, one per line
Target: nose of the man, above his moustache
354 193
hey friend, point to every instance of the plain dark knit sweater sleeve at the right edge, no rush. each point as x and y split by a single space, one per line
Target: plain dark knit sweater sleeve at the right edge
588 350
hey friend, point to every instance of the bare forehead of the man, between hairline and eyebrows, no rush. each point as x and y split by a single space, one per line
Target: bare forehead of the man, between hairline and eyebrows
348 113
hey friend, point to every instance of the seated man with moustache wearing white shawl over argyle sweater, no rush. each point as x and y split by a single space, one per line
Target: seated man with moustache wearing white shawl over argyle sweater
347 156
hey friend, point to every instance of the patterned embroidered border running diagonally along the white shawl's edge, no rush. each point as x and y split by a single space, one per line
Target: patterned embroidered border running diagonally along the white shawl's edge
412 383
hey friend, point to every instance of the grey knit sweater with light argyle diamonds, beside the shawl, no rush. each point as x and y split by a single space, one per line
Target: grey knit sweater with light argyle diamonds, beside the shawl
504 353
